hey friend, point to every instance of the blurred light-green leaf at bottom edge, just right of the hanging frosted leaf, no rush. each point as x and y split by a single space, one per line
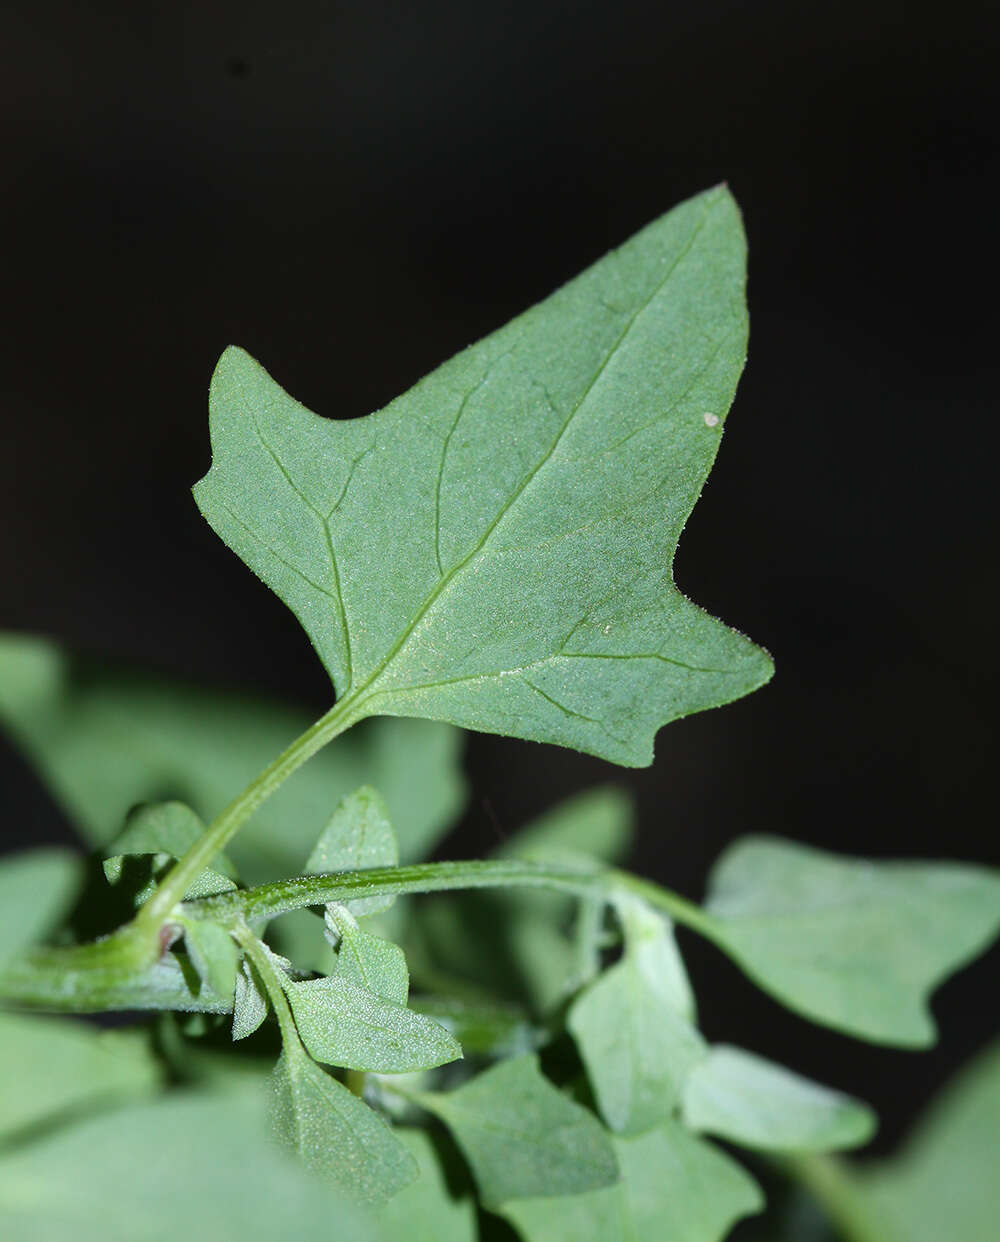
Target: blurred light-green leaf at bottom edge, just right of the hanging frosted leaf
428 1210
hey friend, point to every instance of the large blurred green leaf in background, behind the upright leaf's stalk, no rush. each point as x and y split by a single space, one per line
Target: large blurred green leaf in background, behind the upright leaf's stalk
105 740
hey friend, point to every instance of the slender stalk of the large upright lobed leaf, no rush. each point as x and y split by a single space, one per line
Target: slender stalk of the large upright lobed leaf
227 825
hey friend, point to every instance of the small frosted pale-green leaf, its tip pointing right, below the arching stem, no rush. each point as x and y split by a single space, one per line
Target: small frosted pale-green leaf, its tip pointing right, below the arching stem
345 1025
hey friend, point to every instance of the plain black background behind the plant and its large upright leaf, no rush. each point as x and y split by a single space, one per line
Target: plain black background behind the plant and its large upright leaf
353 192
